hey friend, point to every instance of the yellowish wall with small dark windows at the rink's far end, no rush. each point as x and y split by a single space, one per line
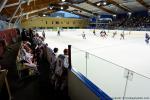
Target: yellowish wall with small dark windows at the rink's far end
47 22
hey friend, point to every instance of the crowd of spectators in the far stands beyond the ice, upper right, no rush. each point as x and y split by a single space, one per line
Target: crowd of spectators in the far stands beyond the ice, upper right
133 22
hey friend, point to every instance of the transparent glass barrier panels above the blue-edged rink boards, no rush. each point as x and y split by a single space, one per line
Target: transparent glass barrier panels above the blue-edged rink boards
117 81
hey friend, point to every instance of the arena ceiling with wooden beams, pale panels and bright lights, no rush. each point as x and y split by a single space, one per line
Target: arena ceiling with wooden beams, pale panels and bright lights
14 9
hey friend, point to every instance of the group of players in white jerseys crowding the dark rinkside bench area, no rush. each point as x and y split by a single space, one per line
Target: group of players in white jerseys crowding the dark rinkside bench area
46 62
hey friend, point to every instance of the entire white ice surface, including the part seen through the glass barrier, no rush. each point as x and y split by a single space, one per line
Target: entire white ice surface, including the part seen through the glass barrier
131 53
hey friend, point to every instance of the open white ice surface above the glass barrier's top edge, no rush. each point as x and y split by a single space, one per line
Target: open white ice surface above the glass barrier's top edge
132 52
